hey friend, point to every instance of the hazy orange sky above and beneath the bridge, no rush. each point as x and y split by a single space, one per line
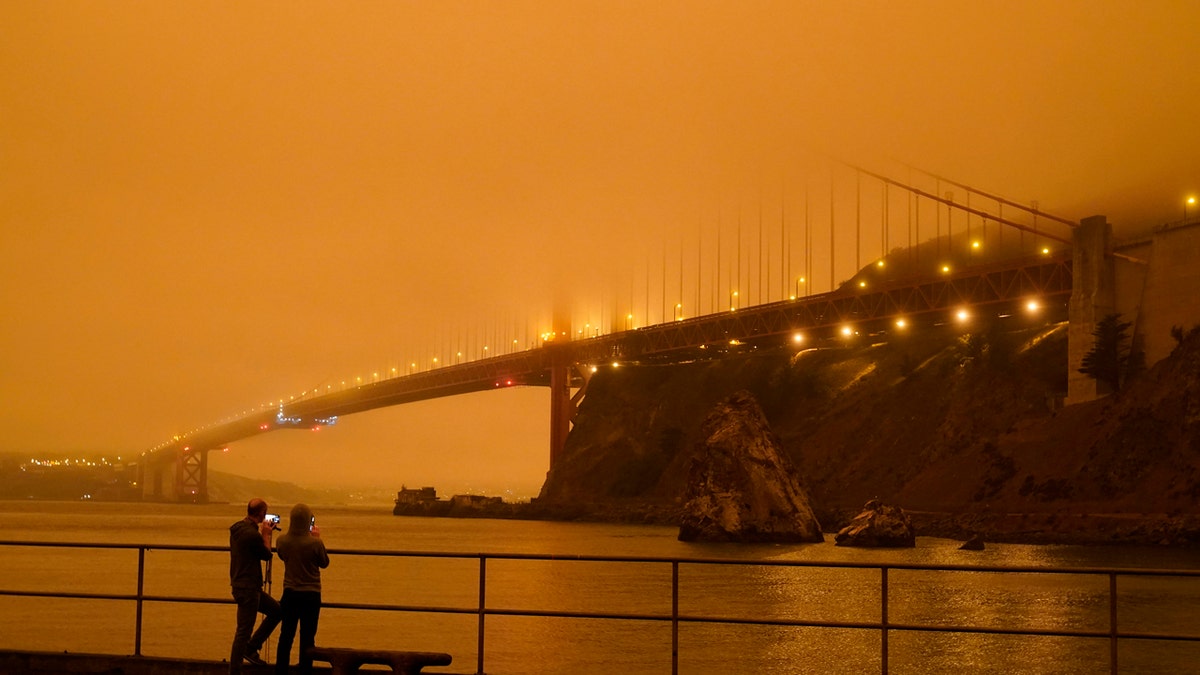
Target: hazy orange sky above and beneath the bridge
208 206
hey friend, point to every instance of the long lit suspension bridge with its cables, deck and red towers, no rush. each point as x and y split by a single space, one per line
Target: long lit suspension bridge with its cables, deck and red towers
935 277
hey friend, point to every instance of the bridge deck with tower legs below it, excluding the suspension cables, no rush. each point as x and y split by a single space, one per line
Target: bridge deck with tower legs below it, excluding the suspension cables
567 366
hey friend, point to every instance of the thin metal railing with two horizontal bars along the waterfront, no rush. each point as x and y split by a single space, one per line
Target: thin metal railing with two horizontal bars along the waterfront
483 611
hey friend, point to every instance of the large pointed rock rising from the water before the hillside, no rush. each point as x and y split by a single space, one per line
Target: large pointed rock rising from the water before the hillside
741 487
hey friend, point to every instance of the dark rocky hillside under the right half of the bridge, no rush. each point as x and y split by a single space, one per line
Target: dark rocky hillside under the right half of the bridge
967 433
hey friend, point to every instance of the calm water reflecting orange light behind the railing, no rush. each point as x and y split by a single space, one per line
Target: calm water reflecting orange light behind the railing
553 646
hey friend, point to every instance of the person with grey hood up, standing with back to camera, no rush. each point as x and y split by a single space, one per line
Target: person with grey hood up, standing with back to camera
304 557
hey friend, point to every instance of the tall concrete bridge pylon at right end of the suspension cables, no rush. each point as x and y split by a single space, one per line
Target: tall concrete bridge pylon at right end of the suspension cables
1093 297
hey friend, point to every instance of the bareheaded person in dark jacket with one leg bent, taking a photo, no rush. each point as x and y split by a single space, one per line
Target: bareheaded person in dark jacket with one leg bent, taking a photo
250 545
